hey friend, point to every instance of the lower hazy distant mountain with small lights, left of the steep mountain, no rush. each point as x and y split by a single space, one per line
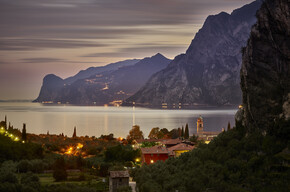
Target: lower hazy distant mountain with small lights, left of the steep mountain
103 87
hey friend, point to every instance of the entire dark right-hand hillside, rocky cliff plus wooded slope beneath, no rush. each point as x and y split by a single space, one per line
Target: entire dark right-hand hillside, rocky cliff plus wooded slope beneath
254 156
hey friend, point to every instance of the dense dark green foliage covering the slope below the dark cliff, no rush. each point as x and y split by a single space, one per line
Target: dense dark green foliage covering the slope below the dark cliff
234 161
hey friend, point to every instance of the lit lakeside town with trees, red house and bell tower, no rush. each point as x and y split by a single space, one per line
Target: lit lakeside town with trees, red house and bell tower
106 161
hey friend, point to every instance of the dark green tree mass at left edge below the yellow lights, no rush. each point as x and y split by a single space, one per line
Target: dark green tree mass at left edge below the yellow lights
11 150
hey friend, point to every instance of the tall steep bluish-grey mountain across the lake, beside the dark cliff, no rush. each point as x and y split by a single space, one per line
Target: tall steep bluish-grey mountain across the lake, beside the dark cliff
208 73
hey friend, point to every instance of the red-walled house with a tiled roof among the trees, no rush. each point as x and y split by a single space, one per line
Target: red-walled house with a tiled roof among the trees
156 153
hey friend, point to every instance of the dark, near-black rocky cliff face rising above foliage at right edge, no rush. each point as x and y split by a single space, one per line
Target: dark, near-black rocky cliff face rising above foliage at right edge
265 73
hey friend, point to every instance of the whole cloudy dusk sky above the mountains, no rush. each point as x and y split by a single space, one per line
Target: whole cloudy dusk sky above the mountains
39 37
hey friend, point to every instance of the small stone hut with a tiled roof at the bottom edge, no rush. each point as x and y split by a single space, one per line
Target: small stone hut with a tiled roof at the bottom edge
118 179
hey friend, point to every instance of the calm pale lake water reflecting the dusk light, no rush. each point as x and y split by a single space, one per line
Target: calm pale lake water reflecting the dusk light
98 120
